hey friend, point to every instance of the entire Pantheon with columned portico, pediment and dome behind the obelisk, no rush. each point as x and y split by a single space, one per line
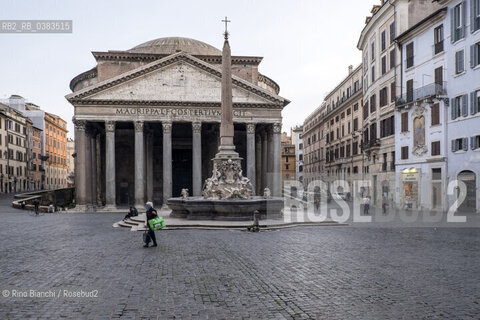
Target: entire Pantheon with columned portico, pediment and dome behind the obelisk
147 123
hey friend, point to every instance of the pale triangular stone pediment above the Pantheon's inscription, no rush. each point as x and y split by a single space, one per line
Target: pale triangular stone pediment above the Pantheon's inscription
179 77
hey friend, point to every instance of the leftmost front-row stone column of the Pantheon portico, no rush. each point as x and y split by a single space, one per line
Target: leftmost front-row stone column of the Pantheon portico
80 174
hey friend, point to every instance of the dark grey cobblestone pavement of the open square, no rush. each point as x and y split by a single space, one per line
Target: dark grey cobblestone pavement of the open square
296 273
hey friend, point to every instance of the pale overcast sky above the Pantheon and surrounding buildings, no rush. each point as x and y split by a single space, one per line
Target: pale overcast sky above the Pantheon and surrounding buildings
307 45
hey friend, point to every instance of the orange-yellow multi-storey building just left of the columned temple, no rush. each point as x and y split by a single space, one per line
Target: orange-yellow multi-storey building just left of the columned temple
56 150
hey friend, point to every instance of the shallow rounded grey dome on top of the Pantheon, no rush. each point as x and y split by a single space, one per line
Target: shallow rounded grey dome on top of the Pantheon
171 45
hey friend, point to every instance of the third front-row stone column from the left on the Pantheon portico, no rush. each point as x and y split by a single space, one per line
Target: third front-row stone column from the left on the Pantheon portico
139 165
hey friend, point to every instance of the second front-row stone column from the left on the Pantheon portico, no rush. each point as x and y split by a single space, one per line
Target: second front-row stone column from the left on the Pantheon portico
110 192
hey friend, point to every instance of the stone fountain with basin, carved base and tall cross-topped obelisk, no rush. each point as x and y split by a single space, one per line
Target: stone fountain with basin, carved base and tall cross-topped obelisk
227 194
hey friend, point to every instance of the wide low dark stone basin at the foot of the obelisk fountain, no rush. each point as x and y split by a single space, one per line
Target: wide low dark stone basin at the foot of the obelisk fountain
199 208
